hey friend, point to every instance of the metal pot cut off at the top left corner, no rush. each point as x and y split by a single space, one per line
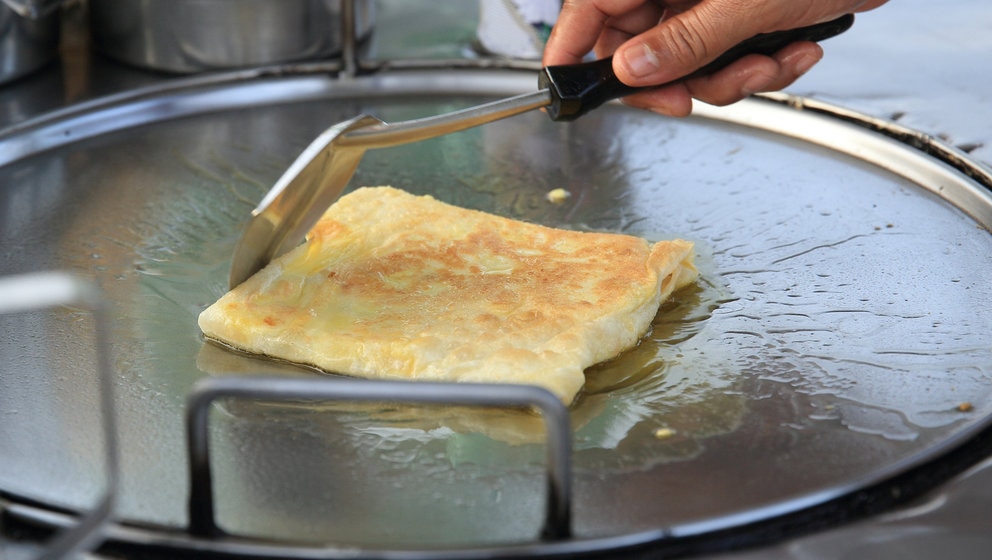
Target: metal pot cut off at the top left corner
29 36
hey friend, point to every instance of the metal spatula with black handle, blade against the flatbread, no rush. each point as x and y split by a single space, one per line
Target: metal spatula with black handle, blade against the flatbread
318 176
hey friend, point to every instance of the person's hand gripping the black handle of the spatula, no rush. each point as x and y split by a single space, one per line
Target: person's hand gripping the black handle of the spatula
657 41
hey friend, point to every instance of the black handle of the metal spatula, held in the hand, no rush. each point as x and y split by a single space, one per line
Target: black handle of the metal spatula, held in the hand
577 89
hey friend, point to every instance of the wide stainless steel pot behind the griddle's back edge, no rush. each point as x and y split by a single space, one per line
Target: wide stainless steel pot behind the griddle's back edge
198 35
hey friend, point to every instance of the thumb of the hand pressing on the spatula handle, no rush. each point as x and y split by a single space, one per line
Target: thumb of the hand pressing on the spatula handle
684 42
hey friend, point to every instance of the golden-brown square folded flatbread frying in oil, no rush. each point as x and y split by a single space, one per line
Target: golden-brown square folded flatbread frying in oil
396 286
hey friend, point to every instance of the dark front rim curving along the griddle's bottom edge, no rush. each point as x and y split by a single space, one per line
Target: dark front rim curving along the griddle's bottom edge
901 489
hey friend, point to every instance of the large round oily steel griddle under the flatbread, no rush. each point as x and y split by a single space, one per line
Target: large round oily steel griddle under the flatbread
838 336
